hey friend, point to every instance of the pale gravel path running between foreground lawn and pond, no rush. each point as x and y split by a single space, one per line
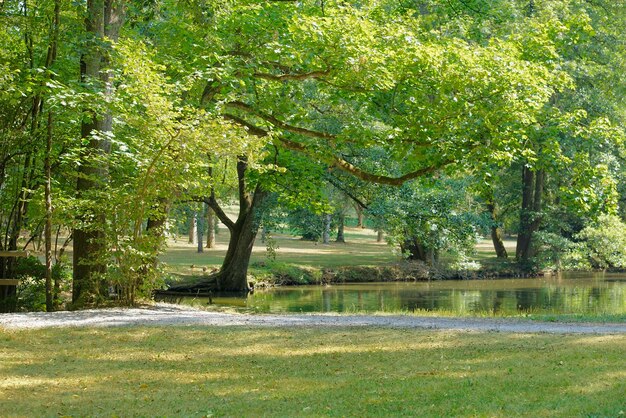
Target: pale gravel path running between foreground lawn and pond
165 314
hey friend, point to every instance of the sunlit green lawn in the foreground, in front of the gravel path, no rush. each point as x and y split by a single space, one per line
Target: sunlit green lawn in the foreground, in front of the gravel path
208 371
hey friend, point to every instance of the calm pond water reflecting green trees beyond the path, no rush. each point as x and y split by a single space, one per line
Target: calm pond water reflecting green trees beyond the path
564 294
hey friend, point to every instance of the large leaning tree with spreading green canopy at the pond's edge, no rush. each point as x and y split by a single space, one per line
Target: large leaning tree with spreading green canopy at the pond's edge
322 81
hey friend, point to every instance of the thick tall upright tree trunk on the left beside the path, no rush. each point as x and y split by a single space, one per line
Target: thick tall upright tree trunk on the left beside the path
103 22
